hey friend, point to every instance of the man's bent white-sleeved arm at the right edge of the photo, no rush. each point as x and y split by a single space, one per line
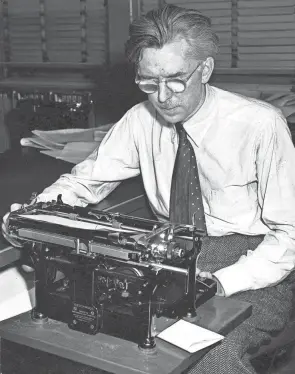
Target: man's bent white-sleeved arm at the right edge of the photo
274 258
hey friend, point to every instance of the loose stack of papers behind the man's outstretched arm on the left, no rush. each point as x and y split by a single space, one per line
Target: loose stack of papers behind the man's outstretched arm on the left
71 145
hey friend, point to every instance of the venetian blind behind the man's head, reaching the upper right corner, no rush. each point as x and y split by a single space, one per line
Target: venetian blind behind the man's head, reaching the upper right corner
253 33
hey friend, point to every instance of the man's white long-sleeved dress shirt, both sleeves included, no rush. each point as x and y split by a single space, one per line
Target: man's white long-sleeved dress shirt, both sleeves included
246 163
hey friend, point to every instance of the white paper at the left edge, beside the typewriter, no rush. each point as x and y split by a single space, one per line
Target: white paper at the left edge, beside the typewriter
16 297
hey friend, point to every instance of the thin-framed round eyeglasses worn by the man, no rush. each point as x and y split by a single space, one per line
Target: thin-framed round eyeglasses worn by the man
176 85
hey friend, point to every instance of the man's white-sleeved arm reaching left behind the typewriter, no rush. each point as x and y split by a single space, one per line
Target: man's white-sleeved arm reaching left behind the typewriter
93 179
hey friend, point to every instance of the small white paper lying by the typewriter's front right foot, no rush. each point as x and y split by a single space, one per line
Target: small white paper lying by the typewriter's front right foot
189 336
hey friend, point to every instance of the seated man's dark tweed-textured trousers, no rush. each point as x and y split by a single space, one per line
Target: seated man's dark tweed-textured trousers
271 309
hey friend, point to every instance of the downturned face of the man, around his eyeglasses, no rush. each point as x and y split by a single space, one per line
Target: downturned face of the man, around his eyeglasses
171 62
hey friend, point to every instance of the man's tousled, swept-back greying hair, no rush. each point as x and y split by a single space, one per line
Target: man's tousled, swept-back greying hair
170 23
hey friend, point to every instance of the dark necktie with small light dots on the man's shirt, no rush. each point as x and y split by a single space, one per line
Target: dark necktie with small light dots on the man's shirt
186 205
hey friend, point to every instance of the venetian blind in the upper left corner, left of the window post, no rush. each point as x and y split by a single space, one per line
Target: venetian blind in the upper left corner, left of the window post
62 31
